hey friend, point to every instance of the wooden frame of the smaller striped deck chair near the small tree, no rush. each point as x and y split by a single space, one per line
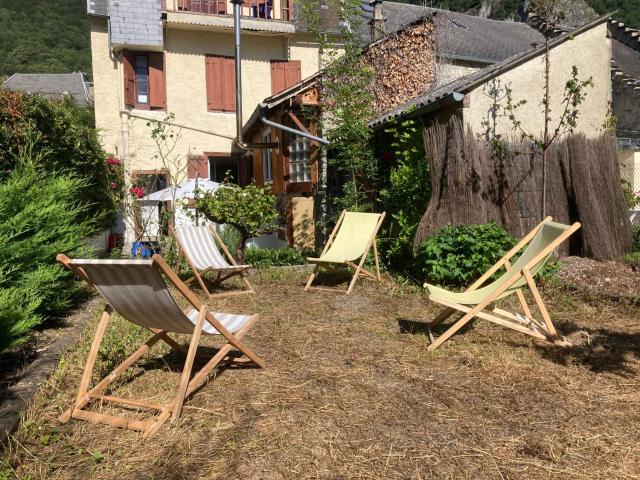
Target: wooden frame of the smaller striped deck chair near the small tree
221 277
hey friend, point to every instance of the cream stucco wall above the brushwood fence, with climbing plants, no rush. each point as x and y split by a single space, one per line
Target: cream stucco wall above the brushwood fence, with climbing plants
590 52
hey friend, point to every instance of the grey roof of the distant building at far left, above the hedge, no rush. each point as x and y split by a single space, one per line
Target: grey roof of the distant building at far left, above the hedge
51 85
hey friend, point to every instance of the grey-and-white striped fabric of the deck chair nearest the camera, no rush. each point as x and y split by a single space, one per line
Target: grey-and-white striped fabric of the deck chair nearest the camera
137 291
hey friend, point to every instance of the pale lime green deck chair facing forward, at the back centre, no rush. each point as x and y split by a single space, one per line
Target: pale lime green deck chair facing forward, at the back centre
350 240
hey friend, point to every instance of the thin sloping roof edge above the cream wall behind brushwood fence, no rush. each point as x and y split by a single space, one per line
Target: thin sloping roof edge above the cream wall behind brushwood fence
454 91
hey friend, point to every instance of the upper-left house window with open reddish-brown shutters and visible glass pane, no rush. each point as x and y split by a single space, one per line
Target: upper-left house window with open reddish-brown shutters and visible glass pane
144 80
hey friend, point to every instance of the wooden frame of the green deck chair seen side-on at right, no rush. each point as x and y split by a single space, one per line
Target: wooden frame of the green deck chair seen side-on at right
544 330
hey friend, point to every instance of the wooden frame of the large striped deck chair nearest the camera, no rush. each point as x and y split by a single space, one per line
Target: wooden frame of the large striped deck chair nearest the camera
86 395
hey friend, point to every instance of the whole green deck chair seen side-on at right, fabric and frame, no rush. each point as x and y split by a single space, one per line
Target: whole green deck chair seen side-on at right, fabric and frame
477 301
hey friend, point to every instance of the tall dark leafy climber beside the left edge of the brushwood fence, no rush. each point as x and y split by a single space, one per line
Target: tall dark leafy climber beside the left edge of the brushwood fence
406 197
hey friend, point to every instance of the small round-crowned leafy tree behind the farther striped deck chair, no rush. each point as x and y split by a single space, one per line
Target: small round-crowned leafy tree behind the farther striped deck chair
251 210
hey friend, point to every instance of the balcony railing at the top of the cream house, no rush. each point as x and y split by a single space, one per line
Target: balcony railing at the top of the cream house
265 9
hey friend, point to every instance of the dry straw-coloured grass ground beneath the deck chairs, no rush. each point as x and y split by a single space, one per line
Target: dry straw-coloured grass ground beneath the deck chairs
347 395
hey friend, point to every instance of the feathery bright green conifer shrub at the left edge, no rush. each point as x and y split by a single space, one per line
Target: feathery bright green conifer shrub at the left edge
40 216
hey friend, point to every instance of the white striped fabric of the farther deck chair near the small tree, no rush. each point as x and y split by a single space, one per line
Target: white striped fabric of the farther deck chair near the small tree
201 249
